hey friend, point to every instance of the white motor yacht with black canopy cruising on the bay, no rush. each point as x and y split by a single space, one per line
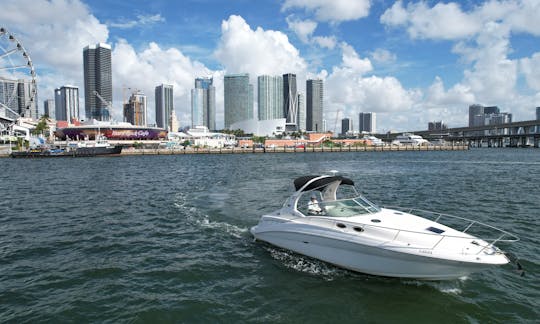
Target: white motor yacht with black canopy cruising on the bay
327 219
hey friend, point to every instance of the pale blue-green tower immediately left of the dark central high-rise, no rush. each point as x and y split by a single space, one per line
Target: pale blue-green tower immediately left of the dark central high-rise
270 97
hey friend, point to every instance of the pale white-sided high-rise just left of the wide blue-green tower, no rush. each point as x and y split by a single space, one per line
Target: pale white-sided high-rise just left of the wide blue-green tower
203 103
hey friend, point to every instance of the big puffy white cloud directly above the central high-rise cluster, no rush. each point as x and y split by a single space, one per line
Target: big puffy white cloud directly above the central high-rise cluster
242 49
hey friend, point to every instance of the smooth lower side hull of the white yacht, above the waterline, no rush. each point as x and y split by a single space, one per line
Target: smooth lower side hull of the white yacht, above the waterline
369 259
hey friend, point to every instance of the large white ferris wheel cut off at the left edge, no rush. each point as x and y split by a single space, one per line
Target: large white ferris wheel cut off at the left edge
18 87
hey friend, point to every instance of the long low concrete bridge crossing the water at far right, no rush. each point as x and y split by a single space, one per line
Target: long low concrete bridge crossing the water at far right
516 134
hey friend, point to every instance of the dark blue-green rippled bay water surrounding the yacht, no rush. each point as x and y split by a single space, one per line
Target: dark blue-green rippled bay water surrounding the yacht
166 239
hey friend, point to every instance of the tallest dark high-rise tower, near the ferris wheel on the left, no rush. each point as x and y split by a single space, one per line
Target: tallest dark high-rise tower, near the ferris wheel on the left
97 81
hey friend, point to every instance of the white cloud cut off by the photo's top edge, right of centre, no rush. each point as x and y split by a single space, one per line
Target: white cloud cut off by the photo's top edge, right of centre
332 11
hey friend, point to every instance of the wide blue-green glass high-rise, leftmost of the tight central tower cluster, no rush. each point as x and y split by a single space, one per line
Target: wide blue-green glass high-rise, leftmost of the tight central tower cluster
238 97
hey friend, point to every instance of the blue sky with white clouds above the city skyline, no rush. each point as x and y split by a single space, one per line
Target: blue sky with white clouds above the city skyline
410 62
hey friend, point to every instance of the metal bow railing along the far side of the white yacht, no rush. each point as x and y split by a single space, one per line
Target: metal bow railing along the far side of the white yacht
467 224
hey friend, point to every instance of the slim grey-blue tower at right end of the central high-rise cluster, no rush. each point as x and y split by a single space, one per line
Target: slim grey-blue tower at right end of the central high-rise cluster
314 105
